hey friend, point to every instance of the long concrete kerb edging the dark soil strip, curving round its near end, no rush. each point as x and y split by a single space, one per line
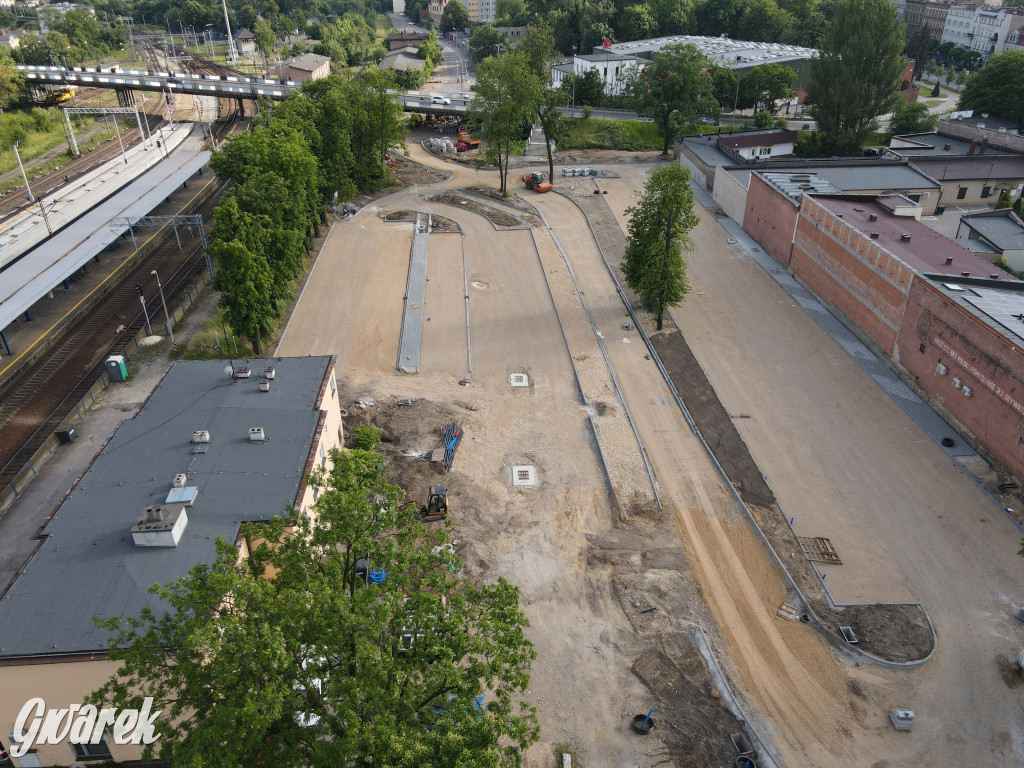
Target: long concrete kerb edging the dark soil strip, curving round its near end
816 622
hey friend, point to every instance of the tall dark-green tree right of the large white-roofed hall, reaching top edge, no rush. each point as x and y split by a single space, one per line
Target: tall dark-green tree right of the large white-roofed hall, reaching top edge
859 73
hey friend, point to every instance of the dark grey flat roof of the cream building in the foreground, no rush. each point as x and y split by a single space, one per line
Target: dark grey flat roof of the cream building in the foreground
89 565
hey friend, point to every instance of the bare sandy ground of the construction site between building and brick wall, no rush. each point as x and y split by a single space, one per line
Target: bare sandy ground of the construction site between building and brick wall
554 540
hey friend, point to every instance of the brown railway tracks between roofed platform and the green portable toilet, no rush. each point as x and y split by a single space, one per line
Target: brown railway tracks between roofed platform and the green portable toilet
33 404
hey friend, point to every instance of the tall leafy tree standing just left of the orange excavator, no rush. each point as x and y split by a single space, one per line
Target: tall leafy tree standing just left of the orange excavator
508 94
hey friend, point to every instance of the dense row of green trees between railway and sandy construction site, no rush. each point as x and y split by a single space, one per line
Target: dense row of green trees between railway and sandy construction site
327 143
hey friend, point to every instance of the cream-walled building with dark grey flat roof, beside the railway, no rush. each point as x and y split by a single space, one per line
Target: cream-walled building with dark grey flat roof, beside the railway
206 454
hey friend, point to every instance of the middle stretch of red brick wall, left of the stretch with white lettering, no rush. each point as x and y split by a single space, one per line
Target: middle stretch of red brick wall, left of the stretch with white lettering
851 272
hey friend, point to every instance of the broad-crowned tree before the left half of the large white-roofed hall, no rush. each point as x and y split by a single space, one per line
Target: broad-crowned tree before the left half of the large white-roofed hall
676 88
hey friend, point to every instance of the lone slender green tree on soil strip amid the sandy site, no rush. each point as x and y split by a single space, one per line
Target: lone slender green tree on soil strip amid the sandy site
659 234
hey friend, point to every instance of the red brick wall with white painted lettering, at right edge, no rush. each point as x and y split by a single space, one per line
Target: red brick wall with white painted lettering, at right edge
988 363
